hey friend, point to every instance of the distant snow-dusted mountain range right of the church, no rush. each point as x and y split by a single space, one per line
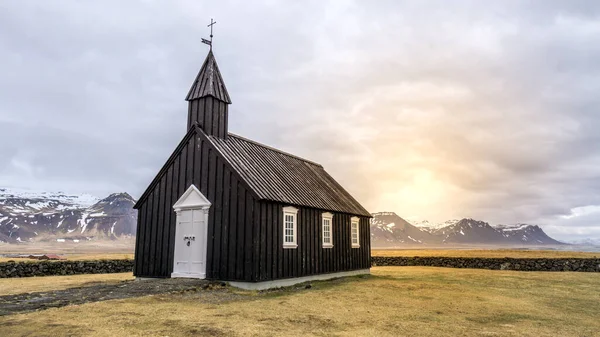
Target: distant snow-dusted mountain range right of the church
386 232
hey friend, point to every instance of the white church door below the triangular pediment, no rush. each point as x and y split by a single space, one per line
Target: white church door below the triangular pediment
190 243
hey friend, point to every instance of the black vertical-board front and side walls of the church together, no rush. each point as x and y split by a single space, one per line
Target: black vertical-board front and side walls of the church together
245 236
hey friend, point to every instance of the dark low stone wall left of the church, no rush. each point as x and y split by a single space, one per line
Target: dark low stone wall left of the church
47 268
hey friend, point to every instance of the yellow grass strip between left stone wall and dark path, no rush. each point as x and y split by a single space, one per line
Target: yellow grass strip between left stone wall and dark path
10 286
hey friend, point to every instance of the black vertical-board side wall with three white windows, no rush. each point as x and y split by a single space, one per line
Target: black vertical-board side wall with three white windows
310 258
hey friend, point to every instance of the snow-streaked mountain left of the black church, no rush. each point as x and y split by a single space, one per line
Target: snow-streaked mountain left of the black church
27 216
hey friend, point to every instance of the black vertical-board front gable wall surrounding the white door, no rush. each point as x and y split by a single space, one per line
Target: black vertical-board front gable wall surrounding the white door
230 254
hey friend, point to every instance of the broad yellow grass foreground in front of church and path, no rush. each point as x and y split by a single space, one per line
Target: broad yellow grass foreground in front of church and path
395 301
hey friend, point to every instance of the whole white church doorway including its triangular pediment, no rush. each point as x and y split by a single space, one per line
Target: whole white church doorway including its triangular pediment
191 200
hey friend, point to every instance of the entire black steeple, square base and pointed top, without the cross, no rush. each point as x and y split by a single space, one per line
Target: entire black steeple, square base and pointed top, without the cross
208 100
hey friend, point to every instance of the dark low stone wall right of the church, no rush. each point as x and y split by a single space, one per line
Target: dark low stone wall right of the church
562 264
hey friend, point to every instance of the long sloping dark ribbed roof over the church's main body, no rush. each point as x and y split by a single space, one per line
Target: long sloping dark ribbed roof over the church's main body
278 176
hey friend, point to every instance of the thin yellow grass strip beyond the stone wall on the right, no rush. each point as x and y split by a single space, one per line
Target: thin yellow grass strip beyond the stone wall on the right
497 253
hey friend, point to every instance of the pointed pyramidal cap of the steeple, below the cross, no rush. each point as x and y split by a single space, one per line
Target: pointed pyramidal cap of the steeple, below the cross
209 82
